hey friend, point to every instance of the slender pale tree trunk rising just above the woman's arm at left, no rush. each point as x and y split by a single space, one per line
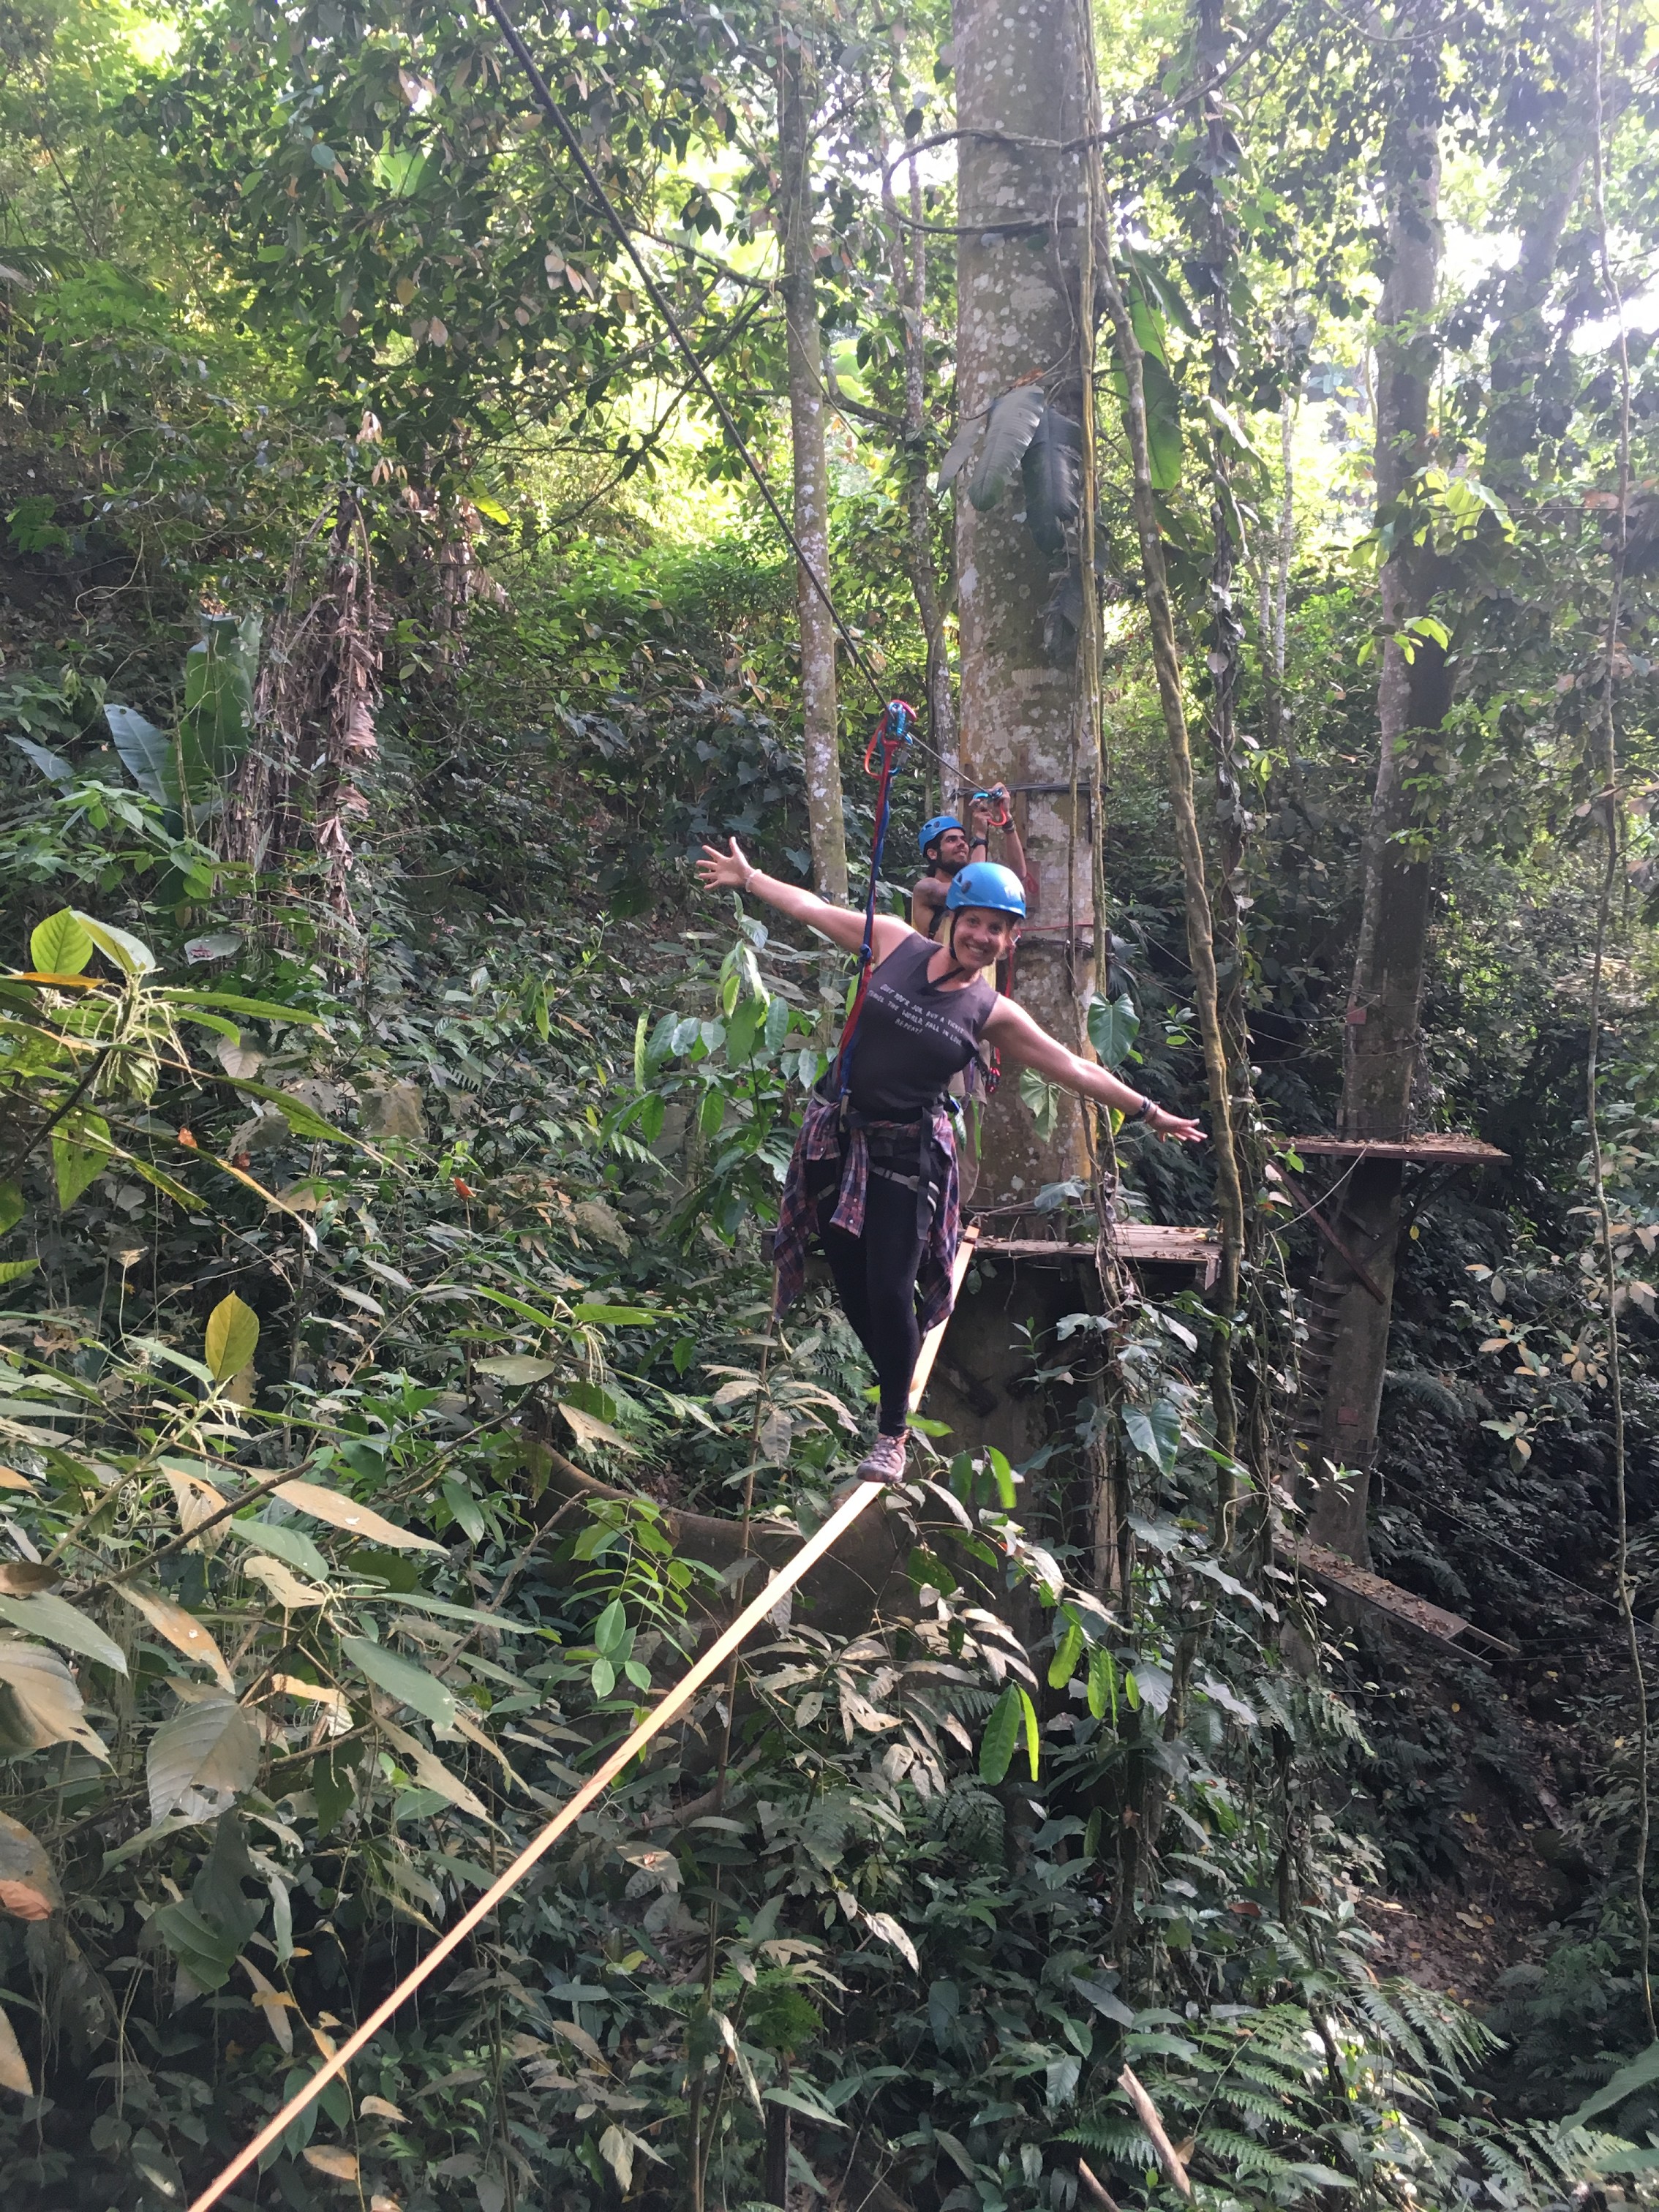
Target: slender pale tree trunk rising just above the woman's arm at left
820 735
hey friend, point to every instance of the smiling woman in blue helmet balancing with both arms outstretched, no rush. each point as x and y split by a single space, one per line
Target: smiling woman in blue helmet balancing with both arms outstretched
875 1173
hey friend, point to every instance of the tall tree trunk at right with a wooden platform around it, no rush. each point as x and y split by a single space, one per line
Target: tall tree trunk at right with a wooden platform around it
1395 926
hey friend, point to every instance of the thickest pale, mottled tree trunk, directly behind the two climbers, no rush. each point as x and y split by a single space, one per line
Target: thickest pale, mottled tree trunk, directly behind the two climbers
1027 74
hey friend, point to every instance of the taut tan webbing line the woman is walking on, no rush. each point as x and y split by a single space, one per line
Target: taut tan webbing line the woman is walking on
674 1704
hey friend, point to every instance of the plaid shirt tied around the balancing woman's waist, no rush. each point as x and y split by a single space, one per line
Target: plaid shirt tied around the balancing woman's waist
937 1196
